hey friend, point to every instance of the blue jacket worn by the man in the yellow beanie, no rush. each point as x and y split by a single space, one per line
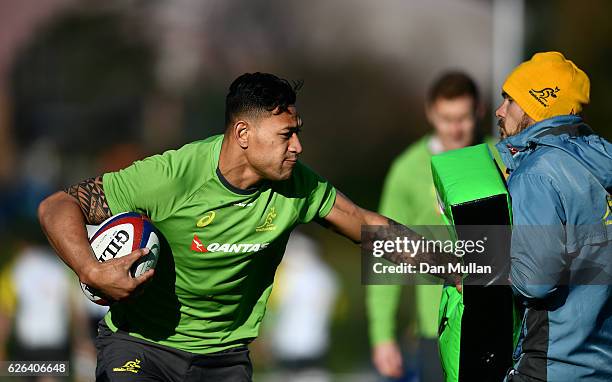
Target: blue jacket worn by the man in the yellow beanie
561 256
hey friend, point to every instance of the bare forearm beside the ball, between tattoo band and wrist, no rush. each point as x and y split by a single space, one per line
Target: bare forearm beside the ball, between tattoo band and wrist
62 220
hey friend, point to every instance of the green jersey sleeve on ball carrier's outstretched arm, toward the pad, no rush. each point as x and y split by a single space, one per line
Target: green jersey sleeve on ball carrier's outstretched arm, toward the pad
319 193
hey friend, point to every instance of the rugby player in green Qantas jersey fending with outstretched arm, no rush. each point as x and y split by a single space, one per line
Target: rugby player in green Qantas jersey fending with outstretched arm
226 206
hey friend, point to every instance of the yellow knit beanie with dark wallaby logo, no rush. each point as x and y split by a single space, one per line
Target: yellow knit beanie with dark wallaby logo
548 85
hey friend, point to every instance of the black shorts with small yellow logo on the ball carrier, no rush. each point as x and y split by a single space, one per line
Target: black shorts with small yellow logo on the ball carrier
122 357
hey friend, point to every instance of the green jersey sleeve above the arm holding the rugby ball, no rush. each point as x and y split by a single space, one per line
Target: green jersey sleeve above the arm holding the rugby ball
153 186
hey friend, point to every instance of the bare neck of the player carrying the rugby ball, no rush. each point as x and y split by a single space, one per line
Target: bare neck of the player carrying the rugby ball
235 168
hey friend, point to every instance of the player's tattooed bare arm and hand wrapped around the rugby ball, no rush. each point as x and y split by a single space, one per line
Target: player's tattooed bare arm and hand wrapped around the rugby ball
63 216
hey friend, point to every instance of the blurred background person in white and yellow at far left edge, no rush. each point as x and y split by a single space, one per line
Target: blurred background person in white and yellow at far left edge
42 304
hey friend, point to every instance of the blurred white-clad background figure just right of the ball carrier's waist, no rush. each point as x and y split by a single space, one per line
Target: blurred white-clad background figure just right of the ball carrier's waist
299 312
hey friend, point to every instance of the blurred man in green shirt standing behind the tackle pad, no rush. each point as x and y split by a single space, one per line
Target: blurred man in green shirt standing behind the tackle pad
454 111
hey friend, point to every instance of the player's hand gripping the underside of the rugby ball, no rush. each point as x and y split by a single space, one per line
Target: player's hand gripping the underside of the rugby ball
112 278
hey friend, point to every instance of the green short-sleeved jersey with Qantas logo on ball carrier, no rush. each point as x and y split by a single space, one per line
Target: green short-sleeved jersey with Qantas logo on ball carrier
224 244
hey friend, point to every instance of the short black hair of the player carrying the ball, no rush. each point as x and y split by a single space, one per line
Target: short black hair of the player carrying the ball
256 93
